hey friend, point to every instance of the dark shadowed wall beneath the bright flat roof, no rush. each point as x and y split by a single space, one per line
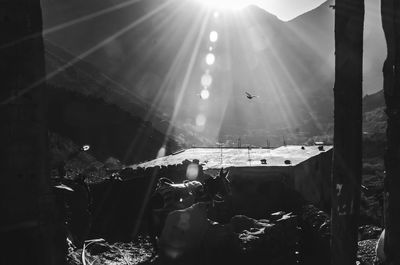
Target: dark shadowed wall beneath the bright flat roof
257 191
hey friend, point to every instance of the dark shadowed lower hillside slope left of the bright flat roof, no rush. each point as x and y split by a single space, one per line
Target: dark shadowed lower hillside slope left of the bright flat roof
87 107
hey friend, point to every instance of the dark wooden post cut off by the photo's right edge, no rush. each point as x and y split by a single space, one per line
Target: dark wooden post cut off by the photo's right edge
390 10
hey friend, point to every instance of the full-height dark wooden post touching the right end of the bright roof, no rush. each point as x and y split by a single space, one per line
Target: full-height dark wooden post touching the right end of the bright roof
347 159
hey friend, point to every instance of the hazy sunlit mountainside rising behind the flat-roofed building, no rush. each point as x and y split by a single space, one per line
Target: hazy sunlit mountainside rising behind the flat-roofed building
288 64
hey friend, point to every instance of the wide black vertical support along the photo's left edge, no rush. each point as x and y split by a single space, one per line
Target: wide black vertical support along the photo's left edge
29 229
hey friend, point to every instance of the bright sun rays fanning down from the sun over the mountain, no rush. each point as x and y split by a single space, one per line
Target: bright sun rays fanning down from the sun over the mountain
266 72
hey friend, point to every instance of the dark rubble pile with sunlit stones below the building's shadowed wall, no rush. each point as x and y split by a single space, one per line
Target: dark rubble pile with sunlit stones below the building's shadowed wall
245 240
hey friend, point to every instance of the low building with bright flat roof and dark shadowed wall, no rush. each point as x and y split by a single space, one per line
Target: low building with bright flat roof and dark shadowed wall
263 180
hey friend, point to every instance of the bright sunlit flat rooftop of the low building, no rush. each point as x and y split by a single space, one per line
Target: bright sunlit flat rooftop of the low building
213 158
